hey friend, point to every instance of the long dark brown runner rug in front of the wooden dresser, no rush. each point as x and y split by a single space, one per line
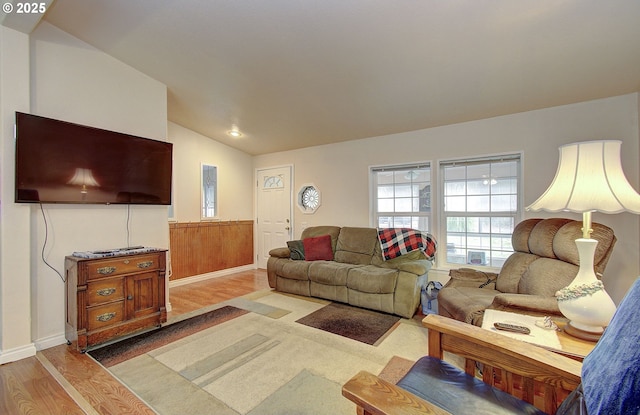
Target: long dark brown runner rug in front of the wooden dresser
135 346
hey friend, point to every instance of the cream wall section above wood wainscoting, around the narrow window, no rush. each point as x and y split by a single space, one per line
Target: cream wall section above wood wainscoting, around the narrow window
235 176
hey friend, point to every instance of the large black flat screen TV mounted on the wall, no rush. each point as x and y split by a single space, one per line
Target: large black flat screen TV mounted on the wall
62 162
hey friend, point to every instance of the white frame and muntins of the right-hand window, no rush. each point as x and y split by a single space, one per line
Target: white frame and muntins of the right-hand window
493 262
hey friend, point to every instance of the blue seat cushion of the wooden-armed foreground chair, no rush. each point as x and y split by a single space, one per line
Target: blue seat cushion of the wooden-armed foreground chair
453 390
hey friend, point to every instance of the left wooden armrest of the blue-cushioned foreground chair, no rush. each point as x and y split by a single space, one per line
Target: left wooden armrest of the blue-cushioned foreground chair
379 397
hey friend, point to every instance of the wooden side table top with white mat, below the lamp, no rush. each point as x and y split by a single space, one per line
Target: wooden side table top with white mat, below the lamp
566 344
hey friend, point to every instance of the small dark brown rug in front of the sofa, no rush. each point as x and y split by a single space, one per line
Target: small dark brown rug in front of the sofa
367 326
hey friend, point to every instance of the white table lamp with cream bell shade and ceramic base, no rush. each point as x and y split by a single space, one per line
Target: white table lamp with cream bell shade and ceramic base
589 179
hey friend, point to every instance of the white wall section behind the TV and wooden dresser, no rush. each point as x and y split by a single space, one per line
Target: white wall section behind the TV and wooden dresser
72 81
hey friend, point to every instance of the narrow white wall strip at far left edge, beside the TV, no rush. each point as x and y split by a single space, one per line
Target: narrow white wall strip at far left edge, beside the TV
15 301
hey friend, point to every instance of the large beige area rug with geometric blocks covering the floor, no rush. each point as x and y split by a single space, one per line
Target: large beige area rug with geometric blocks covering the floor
262 362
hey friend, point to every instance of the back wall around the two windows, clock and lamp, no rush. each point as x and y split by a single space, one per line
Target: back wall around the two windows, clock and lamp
341 170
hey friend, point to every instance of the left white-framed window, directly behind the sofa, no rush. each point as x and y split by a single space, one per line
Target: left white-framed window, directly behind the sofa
402 196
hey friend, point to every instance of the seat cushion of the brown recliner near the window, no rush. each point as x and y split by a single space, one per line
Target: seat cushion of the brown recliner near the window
465 303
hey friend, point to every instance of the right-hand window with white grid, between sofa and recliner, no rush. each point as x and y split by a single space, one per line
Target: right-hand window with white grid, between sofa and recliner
481 203
